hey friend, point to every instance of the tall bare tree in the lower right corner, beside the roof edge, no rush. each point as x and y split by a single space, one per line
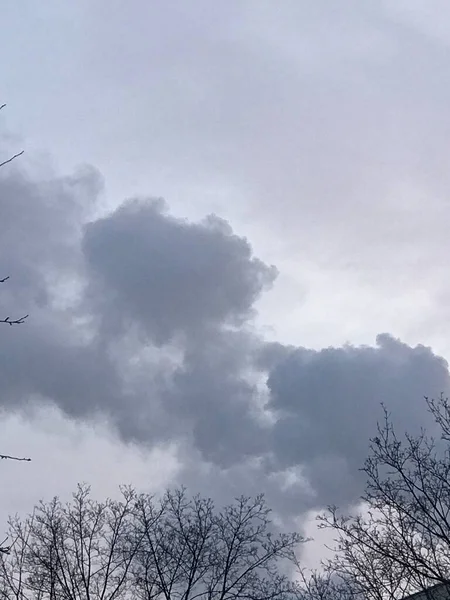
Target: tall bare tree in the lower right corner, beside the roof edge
400 542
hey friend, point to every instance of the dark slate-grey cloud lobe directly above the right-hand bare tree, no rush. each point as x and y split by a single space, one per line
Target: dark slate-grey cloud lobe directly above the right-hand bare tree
325 406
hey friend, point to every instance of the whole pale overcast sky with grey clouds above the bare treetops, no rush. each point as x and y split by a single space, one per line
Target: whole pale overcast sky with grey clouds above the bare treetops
230 231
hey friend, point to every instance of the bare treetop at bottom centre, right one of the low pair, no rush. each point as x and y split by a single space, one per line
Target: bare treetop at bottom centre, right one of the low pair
189 551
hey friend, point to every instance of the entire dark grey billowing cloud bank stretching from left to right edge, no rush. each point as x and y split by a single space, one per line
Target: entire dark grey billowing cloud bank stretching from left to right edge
145 321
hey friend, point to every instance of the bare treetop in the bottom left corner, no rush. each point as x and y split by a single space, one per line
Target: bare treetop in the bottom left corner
79 550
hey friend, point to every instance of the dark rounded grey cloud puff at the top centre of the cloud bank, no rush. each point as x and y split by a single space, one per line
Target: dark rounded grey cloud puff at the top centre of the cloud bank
171 276
